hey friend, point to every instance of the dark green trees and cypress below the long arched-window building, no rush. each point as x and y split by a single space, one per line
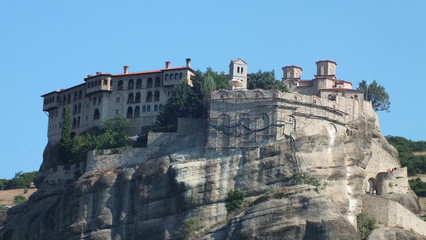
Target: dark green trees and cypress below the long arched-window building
112 134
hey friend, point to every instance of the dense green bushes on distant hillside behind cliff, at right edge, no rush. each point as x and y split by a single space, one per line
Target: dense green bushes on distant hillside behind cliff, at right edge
416 164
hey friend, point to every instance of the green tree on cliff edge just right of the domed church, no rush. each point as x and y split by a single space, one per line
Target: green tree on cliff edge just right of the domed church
376 94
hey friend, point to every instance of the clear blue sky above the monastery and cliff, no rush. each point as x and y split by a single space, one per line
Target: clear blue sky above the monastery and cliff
49 45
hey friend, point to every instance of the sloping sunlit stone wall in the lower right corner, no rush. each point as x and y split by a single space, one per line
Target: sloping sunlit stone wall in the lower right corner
393 214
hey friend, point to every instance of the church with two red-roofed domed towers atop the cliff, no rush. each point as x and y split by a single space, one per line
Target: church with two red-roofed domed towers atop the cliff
324 85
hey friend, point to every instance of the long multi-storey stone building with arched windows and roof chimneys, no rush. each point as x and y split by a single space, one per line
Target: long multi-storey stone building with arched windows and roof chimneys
136 95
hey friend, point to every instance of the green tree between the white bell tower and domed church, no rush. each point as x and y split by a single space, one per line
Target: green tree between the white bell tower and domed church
265 80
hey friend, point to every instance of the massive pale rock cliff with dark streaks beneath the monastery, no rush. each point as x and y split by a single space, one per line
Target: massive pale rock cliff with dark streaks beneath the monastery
153 198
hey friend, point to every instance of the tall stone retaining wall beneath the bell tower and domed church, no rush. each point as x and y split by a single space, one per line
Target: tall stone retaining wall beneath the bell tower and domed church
253 118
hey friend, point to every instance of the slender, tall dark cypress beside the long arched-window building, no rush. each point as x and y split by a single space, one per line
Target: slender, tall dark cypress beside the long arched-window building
65 143
